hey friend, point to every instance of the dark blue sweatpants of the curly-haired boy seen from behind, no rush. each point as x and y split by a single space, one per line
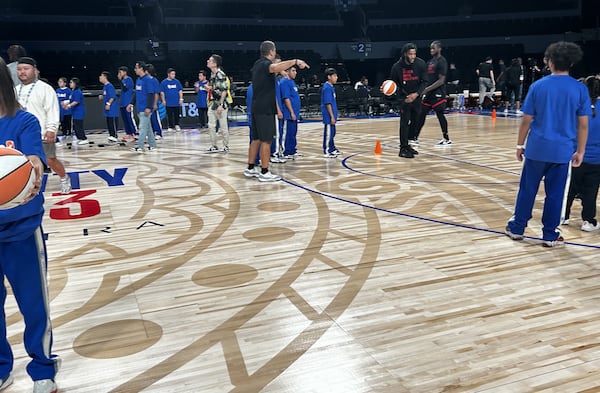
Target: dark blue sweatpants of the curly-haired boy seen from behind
555 181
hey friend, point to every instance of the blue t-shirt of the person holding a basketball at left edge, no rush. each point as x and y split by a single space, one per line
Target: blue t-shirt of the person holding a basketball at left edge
21 221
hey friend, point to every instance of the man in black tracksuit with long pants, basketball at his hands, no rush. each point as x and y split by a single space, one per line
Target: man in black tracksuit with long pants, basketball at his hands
410 75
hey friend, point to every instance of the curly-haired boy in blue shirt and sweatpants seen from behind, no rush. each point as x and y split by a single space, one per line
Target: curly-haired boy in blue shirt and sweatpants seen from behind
555 122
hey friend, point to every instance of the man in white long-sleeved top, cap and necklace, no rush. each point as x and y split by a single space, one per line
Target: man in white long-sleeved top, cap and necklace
39 98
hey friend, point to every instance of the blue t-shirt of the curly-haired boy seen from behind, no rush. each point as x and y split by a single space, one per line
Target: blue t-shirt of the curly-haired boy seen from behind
555 102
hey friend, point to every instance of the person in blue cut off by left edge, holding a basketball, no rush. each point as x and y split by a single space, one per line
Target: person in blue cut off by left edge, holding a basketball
23 259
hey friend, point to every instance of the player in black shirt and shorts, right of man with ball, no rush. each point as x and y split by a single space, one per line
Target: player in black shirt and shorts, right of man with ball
434 95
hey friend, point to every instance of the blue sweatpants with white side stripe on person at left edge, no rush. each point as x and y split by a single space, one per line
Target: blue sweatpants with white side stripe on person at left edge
24 264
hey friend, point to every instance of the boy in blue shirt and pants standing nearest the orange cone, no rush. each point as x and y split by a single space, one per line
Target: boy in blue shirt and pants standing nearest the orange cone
329 112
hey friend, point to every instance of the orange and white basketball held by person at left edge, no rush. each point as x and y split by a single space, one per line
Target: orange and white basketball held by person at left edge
16 177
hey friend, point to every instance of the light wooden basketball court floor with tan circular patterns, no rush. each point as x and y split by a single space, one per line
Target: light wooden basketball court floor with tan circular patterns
172 272
